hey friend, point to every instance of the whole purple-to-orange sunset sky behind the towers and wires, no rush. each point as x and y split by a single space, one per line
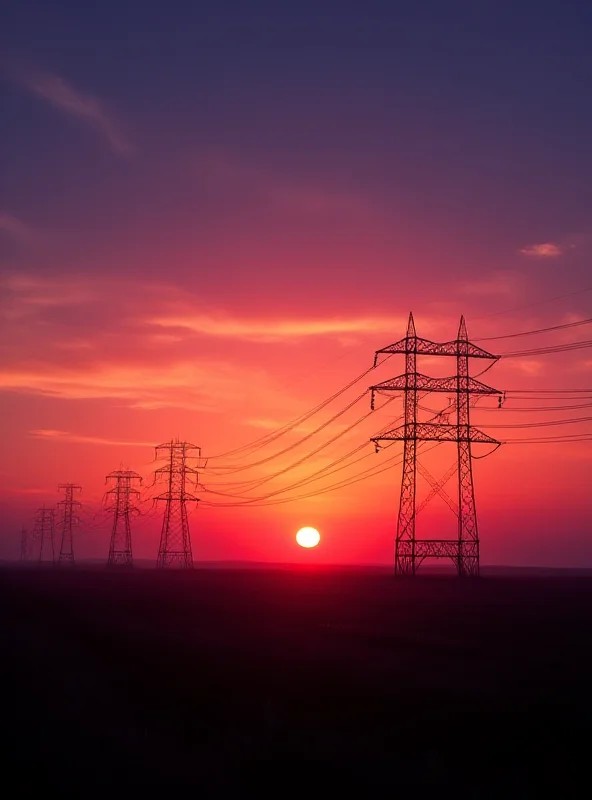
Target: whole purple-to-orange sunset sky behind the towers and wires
212 216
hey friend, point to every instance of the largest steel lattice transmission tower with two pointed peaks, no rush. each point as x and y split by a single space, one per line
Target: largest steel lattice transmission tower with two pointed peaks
464 550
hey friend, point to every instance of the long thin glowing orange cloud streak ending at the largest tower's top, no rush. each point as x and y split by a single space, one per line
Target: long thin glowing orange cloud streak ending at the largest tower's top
264 330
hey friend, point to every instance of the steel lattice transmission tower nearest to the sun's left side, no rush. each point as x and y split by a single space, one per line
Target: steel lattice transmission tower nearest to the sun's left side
175 539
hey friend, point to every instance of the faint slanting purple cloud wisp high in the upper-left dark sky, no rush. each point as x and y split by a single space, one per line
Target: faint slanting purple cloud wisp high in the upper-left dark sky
61 95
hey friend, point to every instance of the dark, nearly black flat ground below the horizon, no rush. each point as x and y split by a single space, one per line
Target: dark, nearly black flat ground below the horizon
233 683
